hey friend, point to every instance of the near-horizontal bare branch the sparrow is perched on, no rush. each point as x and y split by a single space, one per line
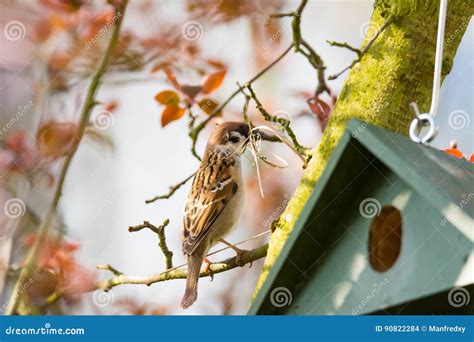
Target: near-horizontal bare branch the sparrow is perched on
218 267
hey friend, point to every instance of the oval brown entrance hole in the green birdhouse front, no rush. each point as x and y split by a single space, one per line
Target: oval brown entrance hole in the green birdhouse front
385 239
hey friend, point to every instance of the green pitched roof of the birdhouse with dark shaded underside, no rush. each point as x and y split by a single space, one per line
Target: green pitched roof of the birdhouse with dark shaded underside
444 182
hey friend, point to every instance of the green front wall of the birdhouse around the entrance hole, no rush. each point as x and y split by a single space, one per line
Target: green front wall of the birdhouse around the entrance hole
343 282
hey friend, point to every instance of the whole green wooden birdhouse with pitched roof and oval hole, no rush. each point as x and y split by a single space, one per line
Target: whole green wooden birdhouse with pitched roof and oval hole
388 229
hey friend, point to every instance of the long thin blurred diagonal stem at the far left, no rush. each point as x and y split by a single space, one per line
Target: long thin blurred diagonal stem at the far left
89 102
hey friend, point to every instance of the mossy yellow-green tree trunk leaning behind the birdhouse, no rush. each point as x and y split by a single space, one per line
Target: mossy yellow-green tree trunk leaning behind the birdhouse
397 70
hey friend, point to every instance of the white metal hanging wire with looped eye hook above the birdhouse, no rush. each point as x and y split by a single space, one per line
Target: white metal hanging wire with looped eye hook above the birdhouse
426 119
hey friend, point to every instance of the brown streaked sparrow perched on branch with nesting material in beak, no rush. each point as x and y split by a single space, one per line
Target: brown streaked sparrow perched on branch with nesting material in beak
215 201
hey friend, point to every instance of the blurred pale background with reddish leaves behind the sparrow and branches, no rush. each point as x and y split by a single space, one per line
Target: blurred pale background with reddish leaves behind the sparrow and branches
48 51
